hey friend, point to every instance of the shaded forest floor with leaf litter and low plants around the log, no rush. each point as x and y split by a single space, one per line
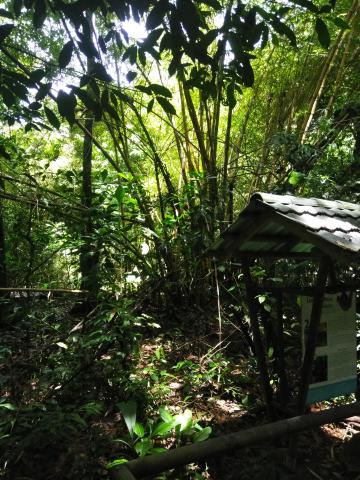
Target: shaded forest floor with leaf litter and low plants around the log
63 380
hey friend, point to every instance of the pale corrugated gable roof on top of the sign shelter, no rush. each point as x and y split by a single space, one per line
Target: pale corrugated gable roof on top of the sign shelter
281 225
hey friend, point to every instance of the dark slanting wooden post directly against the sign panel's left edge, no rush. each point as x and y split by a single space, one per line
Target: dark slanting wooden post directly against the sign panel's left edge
310 345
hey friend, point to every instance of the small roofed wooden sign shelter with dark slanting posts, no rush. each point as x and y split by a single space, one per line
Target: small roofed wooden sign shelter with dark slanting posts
289 227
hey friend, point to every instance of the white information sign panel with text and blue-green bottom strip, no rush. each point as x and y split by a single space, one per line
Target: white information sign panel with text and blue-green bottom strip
334 367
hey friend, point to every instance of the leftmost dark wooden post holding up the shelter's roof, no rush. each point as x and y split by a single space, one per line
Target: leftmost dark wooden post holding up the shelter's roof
259 348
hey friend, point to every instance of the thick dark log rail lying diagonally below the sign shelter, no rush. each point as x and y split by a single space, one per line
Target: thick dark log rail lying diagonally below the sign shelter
155 464
